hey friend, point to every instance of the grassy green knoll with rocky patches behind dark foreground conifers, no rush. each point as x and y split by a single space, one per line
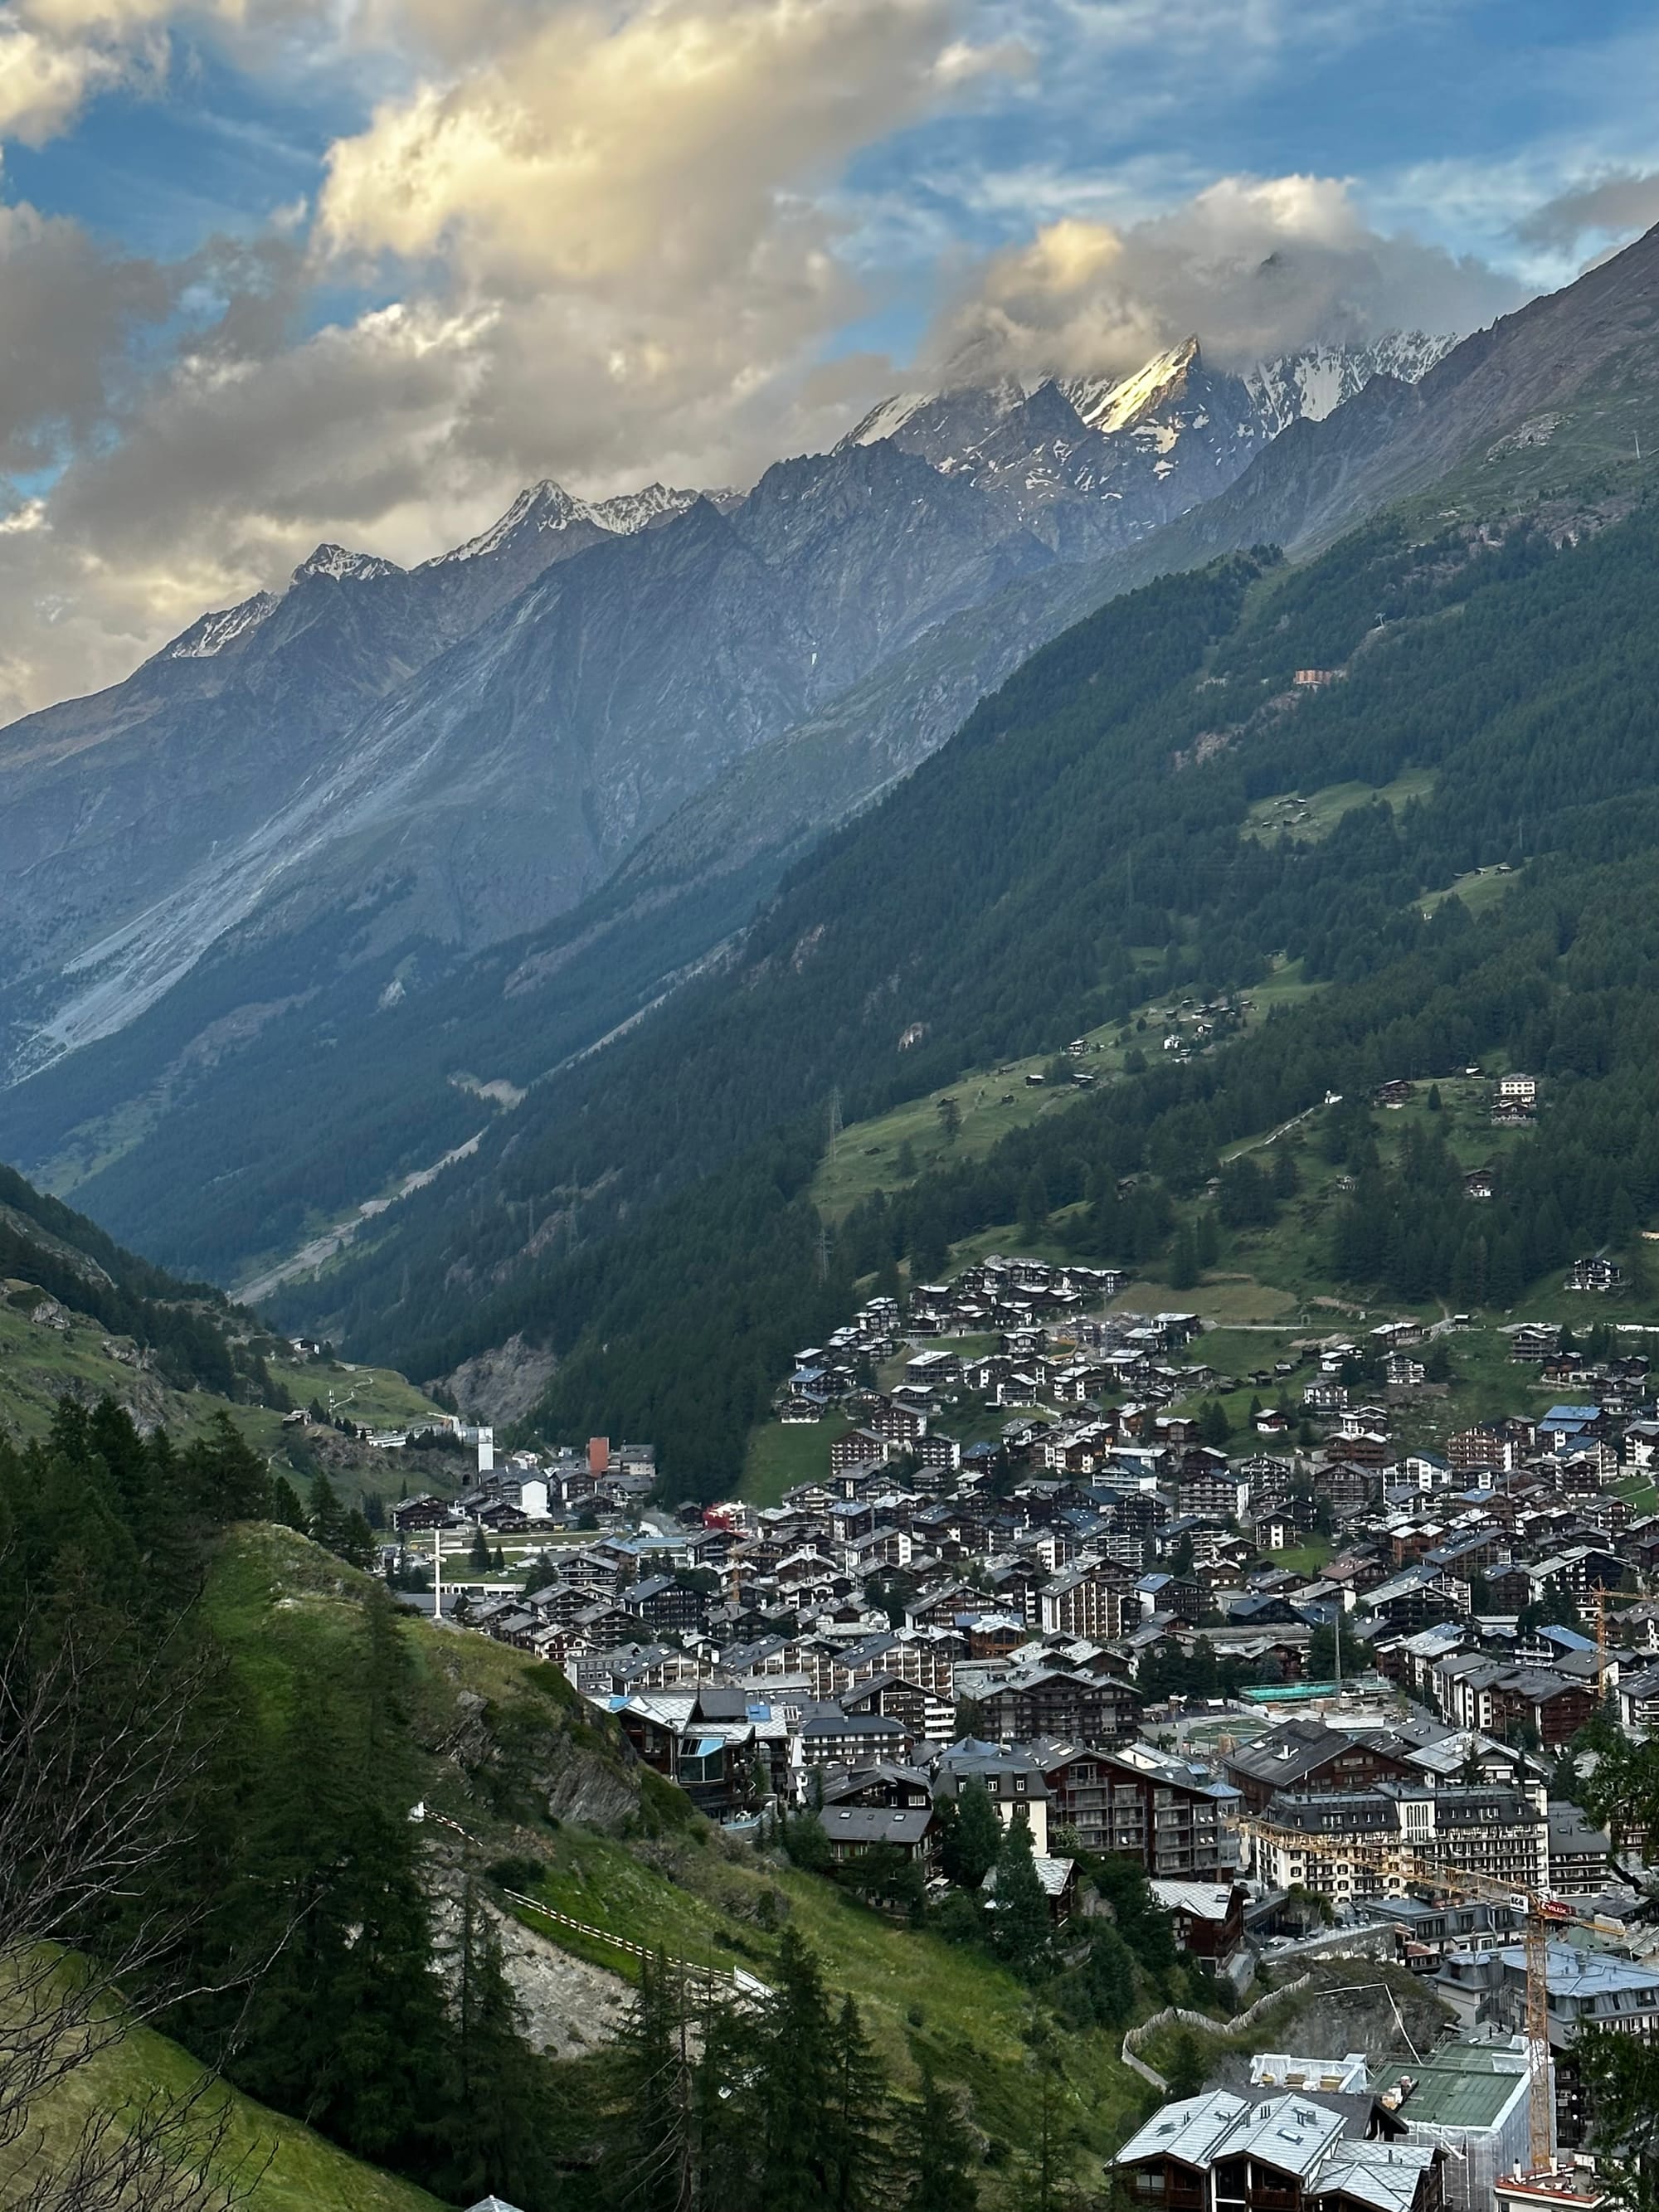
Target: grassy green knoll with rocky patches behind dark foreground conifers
289 1611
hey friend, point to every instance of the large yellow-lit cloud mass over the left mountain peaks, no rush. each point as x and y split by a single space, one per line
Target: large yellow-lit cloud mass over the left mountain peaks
612 258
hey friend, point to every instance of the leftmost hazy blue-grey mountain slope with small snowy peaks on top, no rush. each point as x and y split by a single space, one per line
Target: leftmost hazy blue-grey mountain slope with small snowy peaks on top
136 822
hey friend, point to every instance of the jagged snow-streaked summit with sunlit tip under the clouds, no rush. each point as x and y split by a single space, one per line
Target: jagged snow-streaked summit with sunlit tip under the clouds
1094 463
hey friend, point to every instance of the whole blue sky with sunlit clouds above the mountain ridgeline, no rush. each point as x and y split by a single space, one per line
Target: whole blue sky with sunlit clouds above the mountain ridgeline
293 269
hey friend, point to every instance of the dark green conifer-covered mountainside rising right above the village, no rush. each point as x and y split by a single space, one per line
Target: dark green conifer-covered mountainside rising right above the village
1074 853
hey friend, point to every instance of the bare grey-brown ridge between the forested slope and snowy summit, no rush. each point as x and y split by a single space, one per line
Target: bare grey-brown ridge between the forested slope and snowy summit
1563 382
